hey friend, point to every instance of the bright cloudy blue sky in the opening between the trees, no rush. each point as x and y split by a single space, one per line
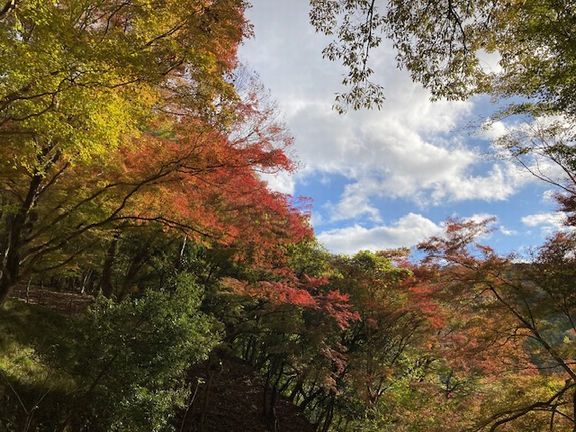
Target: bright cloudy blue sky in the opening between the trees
388 178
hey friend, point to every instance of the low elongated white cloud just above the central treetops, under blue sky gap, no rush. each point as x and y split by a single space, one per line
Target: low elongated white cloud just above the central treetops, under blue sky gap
407 231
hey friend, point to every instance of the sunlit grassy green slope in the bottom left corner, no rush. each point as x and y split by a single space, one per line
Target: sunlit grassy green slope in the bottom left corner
26 379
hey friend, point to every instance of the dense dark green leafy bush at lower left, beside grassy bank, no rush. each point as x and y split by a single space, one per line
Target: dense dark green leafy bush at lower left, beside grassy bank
129 359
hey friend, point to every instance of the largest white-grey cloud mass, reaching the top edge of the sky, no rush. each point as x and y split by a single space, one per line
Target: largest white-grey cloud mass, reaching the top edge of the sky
400 151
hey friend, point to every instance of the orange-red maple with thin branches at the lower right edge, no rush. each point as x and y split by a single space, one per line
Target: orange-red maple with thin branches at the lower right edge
533 332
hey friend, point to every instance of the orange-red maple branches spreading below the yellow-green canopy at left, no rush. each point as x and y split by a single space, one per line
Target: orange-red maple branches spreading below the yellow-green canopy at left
192 178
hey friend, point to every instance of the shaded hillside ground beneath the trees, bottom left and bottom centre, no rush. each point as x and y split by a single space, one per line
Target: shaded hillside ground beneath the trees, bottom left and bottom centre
31 390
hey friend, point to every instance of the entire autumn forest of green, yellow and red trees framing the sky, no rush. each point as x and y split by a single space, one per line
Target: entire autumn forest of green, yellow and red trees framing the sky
151 281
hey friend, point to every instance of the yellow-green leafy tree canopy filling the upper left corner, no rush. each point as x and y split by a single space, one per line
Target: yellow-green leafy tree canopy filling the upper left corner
84 79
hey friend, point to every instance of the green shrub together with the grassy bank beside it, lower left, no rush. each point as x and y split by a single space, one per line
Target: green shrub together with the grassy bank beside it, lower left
120 367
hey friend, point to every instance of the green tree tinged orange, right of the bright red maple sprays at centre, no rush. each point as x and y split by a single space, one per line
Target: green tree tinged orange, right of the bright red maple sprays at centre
387 326
